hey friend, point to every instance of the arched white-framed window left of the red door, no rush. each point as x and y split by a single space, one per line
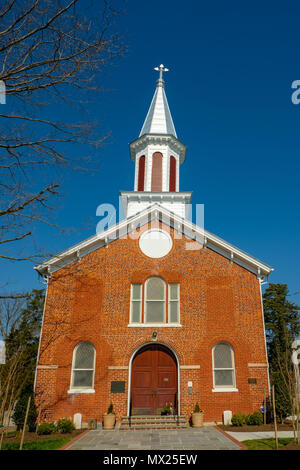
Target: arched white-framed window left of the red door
83 366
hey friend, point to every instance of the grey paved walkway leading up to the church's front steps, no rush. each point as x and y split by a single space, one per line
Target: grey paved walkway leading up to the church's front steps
206 438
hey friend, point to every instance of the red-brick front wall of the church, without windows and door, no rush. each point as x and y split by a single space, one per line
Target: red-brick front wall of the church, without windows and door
90 300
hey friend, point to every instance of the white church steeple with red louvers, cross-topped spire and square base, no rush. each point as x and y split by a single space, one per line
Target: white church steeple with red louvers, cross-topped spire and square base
157 154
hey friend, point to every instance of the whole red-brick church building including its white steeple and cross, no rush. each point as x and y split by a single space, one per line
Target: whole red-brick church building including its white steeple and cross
154 309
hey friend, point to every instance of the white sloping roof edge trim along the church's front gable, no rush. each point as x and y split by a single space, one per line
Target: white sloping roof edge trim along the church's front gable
159 213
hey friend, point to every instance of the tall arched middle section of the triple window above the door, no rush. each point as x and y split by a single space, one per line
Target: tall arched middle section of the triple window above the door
155 300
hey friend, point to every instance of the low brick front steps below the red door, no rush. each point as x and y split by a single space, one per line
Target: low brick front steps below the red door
153 422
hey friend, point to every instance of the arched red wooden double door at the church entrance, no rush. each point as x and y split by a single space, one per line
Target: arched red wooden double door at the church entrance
153 380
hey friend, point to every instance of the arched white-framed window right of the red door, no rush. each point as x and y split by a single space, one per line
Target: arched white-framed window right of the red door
223 366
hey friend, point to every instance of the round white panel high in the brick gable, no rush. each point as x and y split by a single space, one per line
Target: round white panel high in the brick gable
155 243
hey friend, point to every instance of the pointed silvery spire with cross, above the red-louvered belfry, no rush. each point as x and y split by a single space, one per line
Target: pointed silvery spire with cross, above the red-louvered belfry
159 119
